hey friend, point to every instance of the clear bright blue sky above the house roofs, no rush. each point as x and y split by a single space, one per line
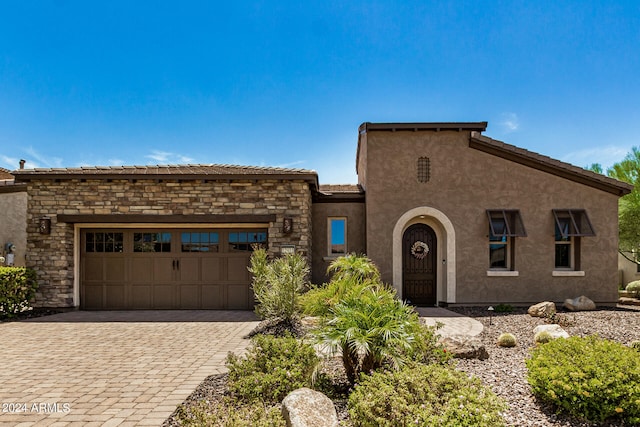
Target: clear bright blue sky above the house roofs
287 83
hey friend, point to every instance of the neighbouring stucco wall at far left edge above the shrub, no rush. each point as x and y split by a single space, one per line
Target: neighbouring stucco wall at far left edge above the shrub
13 223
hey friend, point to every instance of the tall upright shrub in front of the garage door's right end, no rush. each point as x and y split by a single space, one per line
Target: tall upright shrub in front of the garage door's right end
277 284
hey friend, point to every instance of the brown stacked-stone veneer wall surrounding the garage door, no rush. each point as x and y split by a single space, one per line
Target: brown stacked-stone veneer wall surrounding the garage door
52 256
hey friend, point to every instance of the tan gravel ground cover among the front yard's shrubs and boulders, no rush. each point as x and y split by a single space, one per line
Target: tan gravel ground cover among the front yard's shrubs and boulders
505 371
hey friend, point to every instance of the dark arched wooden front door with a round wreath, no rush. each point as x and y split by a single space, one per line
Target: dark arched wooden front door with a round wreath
419 265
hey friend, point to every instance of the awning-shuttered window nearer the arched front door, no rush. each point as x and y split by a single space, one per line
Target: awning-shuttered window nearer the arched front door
504 226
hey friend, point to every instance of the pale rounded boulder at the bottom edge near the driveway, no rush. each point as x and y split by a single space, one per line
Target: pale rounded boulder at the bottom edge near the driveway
308 408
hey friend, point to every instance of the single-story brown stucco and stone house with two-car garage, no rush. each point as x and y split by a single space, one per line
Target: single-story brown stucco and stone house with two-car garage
449 216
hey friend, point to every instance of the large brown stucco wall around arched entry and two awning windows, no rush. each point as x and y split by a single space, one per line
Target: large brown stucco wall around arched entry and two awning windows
464 183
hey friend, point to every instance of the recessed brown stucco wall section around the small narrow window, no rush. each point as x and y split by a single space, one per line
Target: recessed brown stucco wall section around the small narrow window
355 215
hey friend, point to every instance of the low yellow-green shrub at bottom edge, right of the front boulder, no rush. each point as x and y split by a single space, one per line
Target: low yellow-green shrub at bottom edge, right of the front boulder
424 395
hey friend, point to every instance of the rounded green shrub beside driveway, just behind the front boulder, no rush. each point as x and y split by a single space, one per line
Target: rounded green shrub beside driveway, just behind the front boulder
271 369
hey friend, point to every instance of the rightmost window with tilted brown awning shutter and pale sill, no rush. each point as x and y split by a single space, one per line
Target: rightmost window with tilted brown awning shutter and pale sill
570 226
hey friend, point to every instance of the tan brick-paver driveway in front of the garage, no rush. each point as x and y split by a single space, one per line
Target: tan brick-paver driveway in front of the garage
111 368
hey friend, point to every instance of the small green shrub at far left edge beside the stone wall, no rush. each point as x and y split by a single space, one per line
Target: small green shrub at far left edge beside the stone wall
17 287
